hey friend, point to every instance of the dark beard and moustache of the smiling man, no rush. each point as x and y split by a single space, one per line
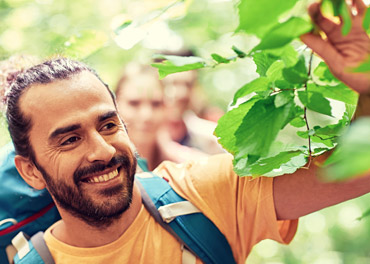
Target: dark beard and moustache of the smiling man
74 200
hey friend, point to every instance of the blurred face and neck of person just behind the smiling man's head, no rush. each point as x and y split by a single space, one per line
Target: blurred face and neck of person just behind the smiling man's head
140 100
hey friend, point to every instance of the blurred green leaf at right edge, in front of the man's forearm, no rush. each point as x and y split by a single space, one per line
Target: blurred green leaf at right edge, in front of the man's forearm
351 158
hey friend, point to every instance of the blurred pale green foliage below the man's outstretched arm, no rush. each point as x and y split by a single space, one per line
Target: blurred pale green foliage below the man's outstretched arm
331 236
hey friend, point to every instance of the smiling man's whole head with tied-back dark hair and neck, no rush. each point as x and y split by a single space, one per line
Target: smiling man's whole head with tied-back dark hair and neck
78 147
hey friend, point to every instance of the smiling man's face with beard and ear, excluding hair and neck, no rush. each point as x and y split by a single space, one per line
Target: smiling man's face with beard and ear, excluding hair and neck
84 144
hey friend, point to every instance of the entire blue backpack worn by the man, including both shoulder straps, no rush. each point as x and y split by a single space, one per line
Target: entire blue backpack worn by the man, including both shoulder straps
24 210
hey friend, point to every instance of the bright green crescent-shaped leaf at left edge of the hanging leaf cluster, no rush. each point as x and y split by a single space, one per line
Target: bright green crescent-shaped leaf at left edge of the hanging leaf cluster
229 123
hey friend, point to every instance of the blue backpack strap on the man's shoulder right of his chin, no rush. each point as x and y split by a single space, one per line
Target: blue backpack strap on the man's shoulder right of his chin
195 230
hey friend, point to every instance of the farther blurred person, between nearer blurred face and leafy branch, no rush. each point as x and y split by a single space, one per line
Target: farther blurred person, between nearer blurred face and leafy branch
183 124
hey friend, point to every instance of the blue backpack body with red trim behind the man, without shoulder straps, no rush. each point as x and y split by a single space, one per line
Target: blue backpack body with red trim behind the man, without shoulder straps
22 208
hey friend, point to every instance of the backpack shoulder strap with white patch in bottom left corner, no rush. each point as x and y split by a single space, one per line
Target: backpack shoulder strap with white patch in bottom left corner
31 251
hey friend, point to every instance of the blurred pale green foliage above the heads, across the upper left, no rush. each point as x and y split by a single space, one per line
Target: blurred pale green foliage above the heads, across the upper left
87 30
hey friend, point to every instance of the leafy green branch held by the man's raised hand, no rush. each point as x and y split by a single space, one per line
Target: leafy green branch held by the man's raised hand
262 129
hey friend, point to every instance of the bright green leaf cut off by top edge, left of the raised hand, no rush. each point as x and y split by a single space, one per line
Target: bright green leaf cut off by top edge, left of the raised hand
257 17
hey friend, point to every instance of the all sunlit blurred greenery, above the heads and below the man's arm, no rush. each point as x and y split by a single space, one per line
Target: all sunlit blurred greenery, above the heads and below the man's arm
107 34
